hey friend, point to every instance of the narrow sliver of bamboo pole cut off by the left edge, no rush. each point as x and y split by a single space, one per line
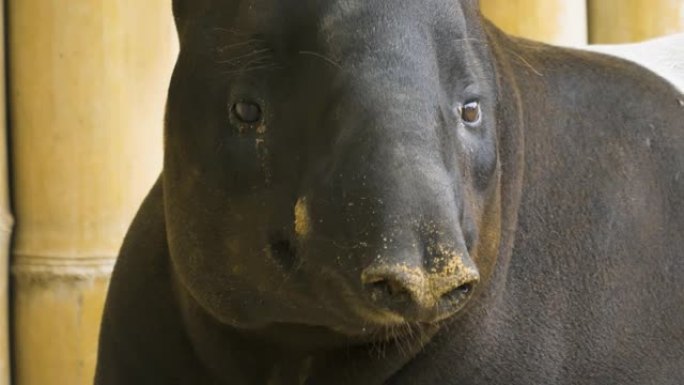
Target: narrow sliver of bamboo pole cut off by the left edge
5 220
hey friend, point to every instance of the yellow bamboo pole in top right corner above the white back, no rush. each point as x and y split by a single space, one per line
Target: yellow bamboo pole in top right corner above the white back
622 21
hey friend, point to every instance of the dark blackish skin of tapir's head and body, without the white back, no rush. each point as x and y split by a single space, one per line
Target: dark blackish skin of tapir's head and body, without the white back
363 229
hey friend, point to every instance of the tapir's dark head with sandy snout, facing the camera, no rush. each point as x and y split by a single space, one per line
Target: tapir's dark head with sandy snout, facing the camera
332 163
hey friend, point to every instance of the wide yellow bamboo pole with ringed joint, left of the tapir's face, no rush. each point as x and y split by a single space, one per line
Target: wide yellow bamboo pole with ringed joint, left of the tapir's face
88 82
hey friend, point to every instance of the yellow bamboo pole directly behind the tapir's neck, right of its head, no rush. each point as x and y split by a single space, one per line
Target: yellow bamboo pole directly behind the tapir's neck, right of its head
562 22
